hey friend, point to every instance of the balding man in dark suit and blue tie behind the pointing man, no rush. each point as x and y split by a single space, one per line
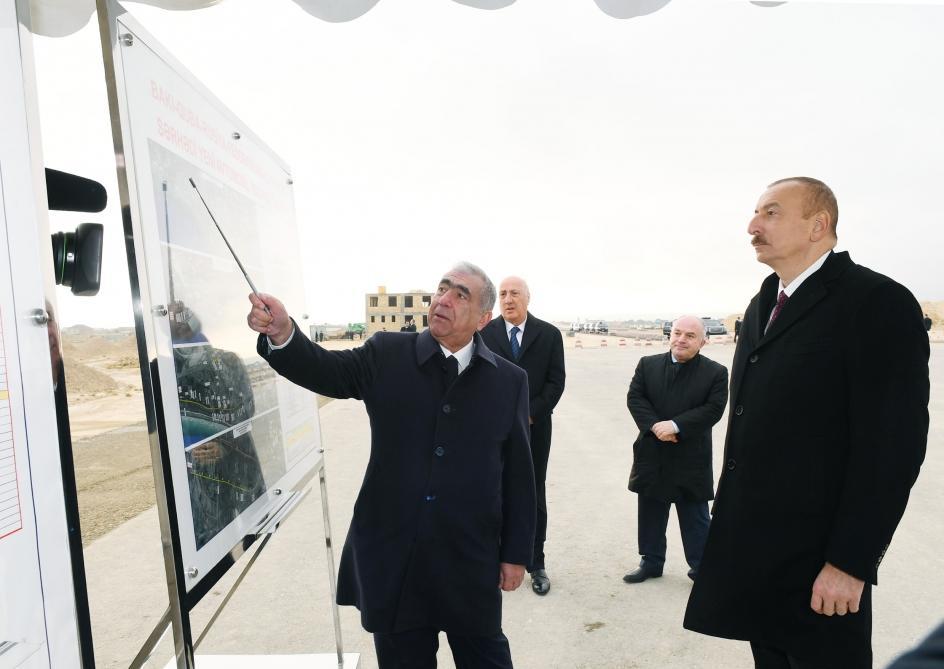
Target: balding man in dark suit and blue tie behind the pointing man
537 347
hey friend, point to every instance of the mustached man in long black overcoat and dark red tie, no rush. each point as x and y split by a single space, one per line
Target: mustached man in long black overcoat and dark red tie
826 435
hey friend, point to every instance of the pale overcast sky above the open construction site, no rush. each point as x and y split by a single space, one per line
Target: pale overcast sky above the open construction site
612 163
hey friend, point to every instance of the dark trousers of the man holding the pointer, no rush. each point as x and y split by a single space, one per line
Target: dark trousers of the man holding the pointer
416 649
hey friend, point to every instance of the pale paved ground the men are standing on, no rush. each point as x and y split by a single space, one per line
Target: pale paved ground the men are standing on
589 619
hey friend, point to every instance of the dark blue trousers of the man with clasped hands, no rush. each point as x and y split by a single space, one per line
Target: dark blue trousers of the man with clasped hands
653 518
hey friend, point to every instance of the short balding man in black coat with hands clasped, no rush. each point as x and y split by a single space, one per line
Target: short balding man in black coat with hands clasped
675 398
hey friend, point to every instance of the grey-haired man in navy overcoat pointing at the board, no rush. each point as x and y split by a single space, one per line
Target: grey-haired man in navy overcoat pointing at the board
445 517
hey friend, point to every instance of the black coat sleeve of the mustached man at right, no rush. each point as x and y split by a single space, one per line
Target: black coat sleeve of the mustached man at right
888 427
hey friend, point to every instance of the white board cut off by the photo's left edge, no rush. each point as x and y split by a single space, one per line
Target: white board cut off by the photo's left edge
37 602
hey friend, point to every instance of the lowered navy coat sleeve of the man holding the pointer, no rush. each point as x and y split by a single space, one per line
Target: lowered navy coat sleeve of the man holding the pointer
519 508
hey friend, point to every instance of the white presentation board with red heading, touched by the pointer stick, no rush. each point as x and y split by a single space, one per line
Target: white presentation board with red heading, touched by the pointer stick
235 433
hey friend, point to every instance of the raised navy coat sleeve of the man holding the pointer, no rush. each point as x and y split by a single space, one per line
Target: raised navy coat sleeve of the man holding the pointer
339 374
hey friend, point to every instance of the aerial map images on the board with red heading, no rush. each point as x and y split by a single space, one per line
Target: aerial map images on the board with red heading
227 397
